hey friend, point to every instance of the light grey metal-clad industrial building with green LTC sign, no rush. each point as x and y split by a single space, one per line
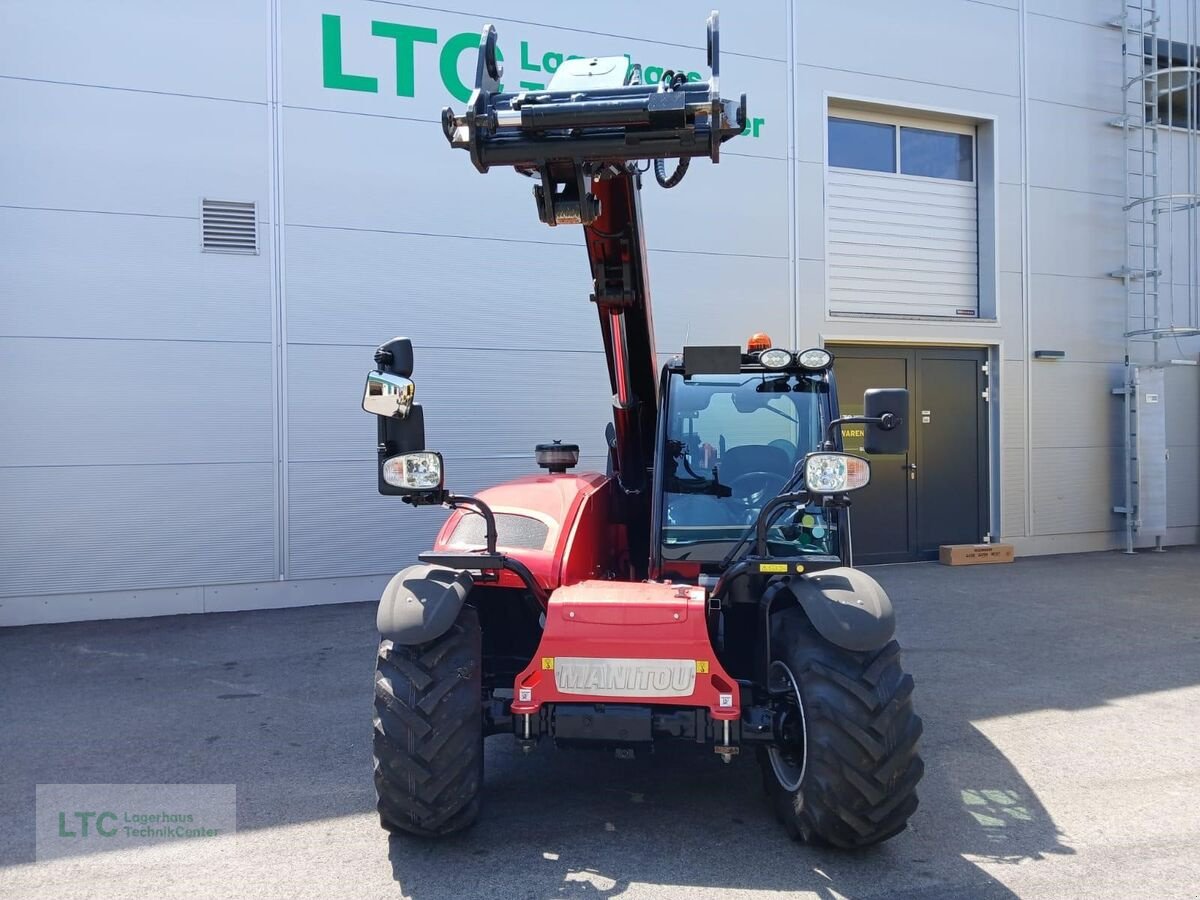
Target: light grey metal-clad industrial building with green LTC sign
212 212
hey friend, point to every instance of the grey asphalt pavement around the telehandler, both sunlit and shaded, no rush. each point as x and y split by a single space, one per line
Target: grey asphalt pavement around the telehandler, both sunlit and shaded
1060 698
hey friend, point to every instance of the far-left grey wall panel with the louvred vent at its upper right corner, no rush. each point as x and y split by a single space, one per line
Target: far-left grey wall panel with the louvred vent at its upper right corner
129 278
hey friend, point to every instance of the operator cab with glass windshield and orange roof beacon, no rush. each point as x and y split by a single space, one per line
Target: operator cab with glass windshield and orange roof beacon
730 443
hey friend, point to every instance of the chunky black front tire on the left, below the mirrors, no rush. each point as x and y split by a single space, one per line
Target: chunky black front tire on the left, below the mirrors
429 733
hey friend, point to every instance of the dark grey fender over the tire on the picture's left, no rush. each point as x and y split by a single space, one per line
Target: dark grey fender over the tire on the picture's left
422 603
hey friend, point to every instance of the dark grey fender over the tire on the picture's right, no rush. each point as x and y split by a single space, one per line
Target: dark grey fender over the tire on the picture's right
847 607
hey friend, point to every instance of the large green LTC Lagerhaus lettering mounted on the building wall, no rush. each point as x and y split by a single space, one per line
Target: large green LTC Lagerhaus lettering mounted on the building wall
536 65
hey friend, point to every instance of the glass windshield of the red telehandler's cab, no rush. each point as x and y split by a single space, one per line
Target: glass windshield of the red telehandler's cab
733 443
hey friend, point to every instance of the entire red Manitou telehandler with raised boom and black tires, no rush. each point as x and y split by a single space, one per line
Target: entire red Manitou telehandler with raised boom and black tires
699 592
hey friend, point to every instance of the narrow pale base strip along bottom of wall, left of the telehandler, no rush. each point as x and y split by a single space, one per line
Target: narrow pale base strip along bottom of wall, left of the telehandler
175 602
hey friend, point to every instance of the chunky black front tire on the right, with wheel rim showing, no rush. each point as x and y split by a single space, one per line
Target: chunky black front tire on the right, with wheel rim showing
856 783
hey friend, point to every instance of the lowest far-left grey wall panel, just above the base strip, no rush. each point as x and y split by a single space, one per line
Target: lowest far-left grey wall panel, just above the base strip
79 527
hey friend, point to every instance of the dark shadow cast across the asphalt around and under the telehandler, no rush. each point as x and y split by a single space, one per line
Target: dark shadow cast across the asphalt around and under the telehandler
279 703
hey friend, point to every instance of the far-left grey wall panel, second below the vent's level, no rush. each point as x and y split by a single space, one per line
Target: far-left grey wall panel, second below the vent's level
135 403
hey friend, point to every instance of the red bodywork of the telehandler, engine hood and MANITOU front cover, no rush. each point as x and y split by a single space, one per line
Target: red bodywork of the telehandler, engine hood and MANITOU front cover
604 641
